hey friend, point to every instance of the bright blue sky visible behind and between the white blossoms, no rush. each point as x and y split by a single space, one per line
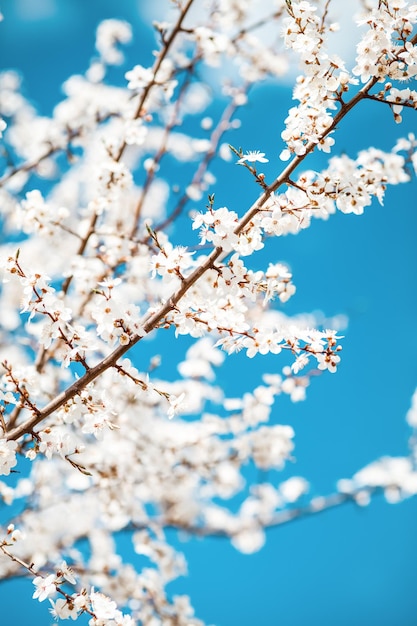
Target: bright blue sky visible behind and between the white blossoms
351 565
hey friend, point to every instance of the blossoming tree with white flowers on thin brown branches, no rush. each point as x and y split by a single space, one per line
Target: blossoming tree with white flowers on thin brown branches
115 234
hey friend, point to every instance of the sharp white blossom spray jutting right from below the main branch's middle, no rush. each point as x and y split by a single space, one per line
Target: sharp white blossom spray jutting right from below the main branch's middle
227 302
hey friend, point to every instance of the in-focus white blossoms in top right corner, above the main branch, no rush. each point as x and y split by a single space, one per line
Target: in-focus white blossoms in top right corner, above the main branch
386 51
